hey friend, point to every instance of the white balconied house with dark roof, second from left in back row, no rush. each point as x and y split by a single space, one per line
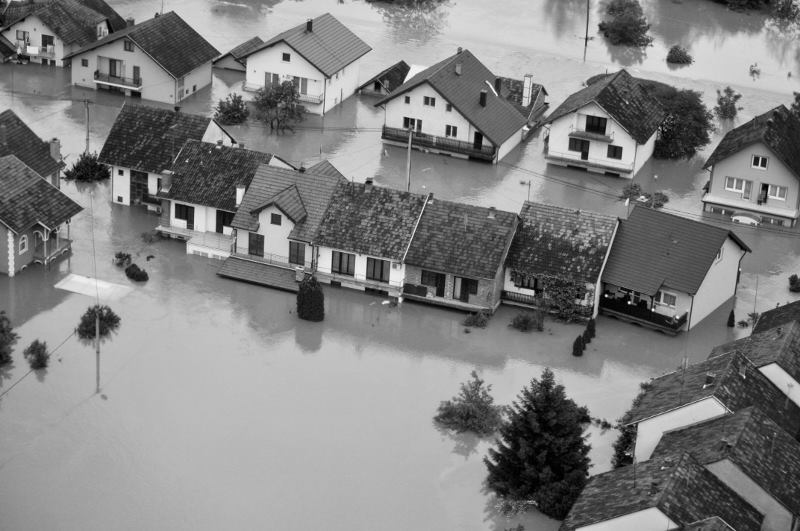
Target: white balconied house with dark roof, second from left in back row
162 59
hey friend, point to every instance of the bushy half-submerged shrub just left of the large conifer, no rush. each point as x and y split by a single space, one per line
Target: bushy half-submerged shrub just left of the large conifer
472 409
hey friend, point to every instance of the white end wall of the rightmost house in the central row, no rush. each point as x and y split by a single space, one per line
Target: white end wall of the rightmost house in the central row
719 285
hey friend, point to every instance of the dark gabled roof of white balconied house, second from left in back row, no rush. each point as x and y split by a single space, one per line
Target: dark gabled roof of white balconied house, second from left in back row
168 39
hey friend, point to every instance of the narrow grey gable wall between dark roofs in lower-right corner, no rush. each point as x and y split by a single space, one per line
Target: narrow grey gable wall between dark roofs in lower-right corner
776 516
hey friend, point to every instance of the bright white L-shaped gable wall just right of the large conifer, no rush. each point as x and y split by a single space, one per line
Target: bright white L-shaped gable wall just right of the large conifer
649 431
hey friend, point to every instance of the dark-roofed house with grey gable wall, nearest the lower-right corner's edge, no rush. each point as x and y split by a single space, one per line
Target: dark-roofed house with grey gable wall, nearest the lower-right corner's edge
752 455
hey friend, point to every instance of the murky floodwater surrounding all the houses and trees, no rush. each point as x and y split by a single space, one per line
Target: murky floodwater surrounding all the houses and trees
219 408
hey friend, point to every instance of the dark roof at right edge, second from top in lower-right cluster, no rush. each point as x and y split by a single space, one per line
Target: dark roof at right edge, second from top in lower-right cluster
780 345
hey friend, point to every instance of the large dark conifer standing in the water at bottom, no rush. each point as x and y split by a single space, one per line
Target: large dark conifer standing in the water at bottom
542 454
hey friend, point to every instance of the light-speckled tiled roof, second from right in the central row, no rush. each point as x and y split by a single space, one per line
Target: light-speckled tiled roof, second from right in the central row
561 242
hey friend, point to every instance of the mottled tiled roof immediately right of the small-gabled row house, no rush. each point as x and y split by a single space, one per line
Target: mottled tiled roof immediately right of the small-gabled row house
372 220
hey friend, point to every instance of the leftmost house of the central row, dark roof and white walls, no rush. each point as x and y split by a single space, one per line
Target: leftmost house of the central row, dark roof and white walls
143 143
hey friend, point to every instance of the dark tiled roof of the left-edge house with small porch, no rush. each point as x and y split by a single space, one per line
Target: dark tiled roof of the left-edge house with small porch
26 198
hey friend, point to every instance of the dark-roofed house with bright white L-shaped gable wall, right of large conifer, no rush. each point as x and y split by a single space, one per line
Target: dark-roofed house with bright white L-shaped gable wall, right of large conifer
703 391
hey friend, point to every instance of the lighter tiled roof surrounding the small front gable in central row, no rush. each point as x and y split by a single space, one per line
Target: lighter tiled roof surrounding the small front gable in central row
315 187
